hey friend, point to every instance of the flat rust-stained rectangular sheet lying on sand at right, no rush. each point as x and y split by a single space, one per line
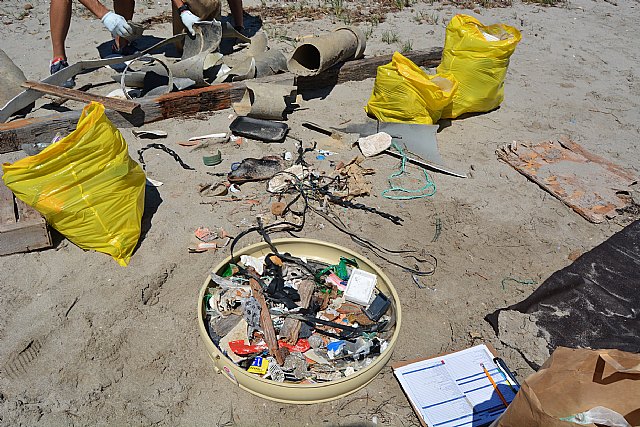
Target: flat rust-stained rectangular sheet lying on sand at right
589 184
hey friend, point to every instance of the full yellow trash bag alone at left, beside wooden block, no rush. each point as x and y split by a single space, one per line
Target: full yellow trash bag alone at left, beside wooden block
86 186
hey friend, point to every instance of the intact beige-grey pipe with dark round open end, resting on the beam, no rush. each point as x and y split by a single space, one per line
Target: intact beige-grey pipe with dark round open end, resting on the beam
319 53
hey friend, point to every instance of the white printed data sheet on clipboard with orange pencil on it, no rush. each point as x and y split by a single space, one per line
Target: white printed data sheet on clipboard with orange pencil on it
453 390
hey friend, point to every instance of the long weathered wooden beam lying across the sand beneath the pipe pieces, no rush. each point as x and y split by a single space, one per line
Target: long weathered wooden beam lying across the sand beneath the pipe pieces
188 102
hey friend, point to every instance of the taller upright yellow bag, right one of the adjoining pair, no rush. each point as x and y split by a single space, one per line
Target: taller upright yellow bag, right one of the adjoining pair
478 57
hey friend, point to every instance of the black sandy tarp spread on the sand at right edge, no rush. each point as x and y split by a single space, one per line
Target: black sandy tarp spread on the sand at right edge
594 302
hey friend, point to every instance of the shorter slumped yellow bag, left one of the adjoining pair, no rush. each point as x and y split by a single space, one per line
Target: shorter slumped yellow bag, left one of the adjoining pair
404 93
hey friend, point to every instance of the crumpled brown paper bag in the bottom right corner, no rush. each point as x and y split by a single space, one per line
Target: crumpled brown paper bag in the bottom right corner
572 381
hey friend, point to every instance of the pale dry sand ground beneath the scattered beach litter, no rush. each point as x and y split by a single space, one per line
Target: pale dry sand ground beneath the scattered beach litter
86 342
